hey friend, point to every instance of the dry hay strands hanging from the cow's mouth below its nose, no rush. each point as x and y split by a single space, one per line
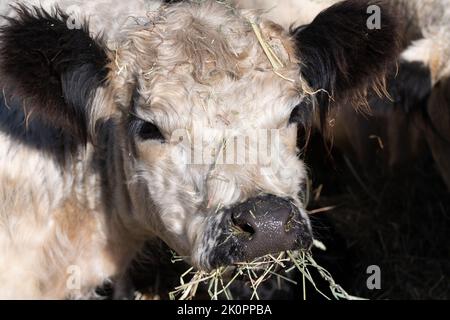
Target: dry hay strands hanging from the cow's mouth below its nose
280 267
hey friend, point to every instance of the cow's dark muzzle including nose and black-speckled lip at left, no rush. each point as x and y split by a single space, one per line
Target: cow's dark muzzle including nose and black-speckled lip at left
257 227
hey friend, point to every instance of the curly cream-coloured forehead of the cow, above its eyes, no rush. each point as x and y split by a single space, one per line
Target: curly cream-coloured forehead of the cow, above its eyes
209 66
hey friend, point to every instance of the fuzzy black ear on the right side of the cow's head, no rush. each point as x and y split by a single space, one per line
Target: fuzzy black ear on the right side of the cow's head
343 52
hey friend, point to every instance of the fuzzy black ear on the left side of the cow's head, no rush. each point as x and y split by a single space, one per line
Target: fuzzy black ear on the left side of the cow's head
52 68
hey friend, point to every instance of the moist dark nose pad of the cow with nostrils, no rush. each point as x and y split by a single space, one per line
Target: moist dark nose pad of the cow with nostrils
269 224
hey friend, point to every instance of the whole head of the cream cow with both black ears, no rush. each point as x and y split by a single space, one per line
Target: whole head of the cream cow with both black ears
206 102
